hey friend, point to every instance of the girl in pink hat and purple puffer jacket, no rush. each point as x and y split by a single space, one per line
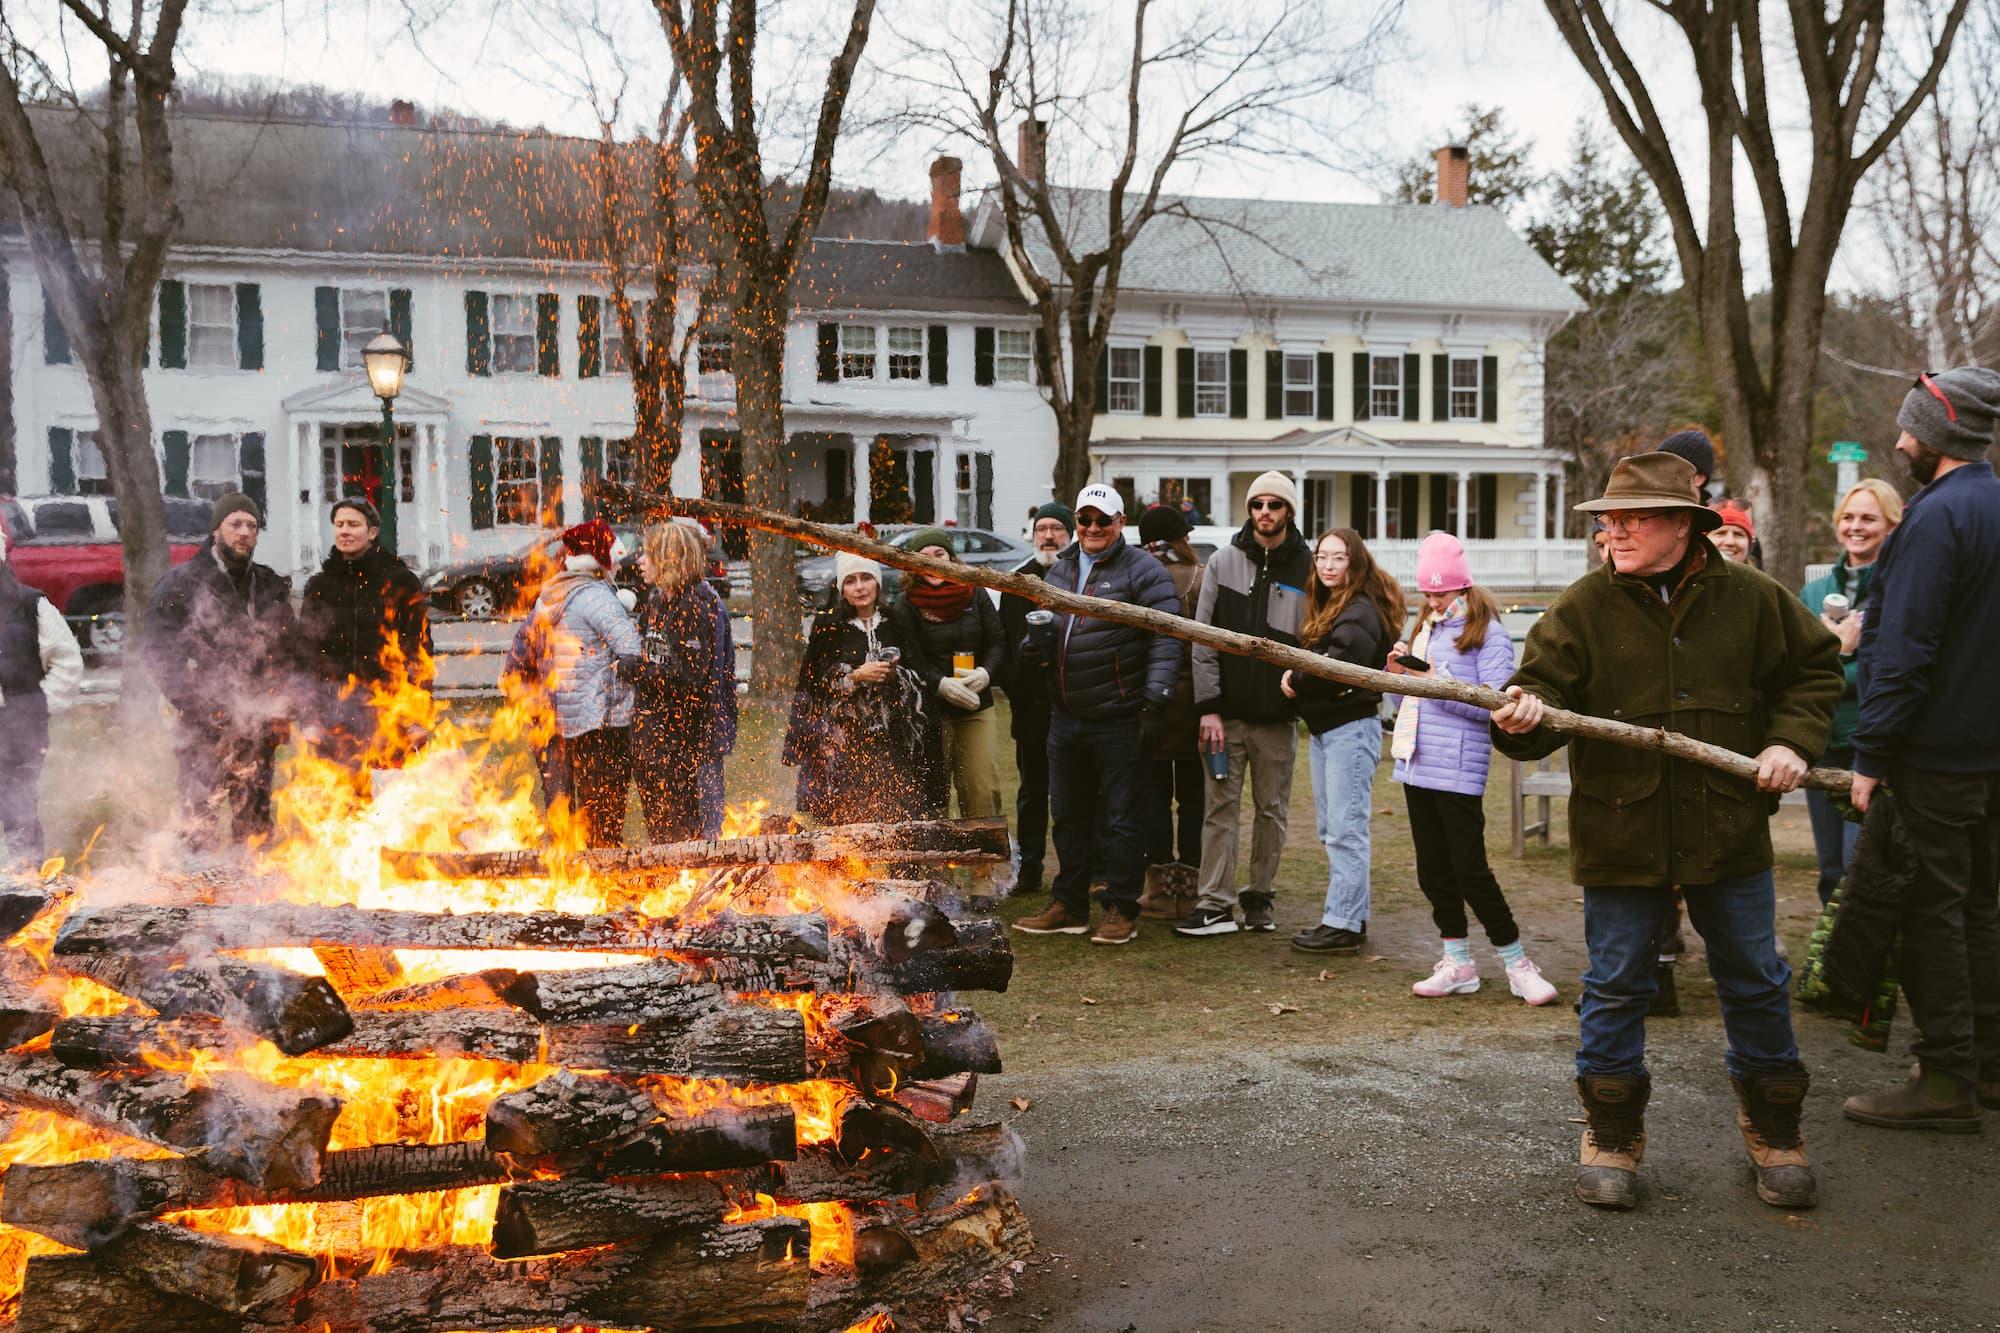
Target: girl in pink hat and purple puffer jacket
1443 752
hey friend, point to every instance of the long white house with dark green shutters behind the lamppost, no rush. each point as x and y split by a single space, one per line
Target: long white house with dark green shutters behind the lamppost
909 373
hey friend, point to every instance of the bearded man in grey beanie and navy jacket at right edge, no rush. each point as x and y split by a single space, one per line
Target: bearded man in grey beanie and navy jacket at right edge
1931 732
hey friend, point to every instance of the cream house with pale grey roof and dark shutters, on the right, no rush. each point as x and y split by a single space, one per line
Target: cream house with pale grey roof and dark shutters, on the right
1387 357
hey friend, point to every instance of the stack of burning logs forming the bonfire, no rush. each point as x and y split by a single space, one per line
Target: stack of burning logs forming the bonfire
617 1202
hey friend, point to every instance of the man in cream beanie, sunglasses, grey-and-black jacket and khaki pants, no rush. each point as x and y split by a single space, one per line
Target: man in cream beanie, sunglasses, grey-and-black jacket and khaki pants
1257 585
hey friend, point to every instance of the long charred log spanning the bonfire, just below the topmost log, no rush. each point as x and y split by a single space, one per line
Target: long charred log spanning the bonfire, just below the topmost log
179 932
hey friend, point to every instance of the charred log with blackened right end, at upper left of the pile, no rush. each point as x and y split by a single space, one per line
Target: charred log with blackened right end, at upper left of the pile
287 1010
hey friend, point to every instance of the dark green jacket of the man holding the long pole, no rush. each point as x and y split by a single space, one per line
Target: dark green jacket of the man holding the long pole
1735 661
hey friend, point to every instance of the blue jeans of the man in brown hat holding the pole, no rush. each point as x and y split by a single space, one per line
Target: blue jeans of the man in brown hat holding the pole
1737 922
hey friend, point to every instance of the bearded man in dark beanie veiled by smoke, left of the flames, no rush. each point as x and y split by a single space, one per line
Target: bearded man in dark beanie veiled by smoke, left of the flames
219 639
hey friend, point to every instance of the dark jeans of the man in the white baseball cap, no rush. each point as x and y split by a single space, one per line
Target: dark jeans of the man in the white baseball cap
1097 808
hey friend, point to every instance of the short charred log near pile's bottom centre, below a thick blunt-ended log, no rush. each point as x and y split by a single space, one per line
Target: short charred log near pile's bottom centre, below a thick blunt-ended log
545 1218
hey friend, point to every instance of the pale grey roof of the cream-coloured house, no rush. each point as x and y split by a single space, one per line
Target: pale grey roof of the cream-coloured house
1297 251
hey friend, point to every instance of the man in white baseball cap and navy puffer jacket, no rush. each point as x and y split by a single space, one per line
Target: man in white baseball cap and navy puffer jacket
1109 686
